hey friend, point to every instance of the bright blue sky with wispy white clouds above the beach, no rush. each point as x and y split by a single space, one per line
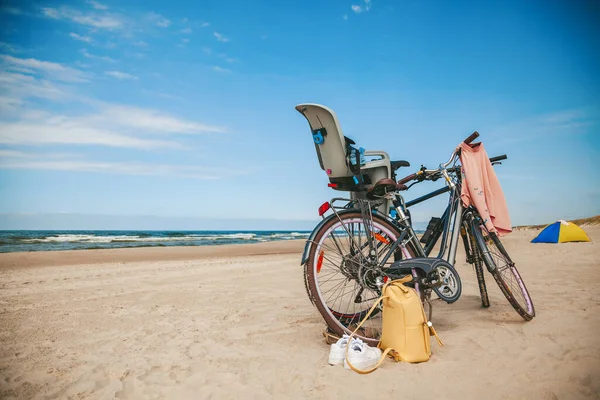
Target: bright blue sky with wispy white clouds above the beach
182 111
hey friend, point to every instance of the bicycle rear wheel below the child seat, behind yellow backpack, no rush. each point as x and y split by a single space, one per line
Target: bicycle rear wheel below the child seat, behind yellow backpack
341 282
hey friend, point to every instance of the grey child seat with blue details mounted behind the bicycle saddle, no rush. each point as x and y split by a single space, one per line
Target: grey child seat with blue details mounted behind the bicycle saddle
332 151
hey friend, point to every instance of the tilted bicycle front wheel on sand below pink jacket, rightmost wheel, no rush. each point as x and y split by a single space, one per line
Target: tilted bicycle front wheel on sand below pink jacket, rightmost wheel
525 307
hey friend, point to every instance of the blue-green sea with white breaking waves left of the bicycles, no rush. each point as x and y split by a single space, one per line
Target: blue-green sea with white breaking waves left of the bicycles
19 241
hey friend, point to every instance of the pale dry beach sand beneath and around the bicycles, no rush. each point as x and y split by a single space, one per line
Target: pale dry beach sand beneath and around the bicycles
235 322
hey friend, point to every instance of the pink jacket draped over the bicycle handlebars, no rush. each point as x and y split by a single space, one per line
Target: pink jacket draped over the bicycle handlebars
481 188
